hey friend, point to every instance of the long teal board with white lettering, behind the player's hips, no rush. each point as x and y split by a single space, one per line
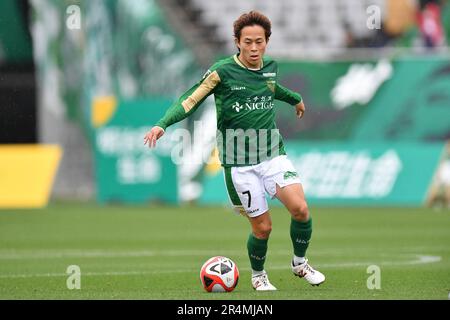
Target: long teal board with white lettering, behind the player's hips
355 173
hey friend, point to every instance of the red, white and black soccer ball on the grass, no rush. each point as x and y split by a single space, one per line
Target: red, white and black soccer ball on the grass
219 274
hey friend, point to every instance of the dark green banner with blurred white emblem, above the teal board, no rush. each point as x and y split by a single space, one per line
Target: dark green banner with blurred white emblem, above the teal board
403 99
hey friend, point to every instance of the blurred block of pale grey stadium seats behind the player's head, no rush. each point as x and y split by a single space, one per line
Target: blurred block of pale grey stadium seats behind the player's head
299 26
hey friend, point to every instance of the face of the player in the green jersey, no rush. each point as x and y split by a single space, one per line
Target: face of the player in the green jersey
253 45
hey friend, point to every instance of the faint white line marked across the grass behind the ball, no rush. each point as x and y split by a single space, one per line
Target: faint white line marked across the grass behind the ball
419 259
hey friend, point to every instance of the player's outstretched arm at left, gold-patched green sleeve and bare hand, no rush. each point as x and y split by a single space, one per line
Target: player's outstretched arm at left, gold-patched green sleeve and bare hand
187 104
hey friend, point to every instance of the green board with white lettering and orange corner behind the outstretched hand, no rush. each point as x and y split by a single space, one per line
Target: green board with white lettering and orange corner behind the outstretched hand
126 170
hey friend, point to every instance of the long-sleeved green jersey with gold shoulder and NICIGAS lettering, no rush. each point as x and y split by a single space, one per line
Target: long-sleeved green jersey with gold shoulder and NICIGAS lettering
245 101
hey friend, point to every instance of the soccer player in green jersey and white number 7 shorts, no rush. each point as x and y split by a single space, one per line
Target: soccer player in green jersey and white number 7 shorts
250 147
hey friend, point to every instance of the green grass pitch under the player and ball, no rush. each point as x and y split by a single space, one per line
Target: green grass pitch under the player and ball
155 252
